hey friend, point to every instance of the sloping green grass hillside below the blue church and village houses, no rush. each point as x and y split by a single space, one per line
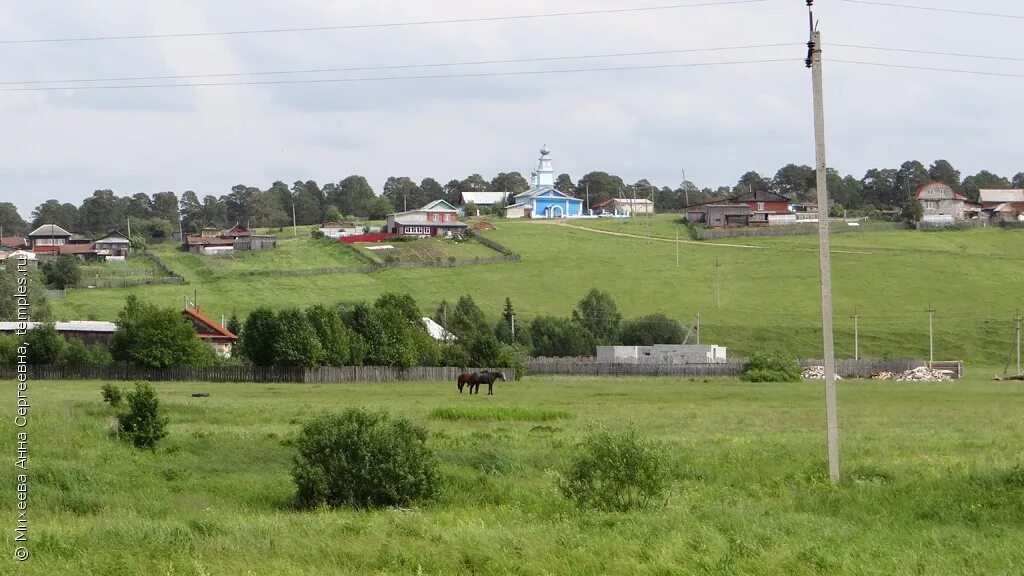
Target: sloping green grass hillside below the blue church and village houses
767 297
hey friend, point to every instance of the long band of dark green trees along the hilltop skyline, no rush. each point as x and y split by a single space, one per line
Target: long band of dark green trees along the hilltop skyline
161 215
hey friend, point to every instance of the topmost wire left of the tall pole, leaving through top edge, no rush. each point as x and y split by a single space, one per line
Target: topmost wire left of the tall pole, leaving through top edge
383 25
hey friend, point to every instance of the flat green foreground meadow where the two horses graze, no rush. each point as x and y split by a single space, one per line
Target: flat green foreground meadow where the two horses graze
934 482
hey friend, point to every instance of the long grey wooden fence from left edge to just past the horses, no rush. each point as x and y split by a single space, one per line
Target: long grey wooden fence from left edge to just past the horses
244 374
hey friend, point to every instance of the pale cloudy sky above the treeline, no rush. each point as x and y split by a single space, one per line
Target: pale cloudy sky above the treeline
715 122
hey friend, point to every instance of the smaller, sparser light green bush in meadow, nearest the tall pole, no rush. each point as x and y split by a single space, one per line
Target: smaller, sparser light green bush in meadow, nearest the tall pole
616 472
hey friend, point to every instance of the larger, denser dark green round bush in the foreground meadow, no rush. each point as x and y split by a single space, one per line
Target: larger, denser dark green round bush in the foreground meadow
364 460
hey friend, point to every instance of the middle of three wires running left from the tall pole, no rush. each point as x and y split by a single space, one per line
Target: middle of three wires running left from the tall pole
405 66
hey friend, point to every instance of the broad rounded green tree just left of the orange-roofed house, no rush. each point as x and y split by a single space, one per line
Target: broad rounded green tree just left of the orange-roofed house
157 338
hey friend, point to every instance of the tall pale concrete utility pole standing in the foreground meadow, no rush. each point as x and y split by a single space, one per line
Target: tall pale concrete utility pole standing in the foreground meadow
832 418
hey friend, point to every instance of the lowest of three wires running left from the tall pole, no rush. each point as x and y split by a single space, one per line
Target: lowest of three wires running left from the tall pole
389 78
